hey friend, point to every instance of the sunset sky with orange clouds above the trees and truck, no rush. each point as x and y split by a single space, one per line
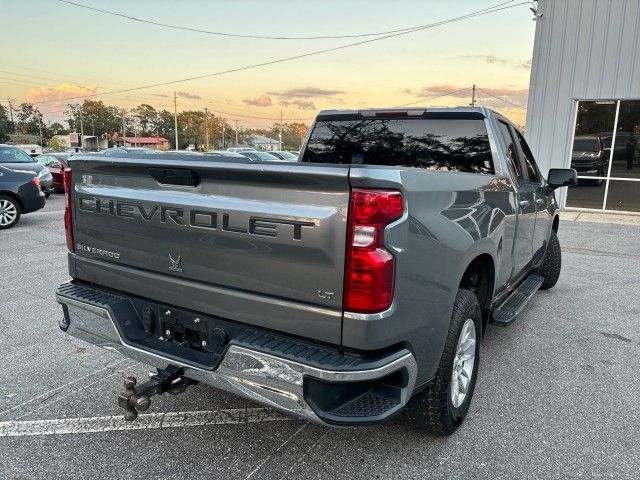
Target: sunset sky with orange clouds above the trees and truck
59 51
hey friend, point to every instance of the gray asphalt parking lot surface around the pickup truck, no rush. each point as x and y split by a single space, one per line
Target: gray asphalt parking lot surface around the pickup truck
557 393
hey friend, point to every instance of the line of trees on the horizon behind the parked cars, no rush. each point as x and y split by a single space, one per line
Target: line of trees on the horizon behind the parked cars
93 117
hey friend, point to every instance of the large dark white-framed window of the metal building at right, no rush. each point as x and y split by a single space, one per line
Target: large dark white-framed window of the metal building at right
605 152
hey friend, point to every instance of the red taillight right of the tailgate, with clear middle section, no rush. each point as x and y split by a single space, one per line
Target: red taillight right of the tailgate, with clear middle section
370 267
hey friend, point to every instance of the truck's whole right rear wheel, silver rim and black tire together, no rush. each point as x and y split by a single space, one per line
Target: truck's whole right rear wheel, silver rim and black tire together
443 405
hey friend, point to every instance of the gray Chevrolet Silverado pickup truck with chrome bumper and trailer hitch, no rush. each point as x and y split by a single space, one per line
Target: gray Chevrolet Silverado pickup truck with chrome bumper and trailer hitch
341 288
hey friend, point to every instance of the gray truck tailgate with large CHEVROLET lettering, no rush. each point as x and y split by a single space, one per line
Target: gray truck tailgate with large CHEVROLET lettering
262 244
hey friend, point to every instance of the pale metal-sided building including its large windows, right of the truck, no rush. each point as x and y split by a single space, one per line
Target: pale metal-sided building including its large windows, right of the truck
584 99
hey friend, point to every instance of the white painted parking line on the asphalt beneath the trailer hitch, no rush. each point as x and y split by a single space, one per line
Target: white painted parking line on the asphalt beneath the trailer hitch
64 426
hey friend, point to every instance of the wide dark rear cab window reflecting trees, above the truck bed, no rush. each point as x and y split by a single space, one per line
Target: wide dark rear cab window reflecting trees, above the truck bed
460 145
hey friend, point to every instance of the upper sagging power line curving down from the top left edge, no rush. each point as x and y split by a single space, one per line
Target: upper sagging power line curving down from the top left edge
261 37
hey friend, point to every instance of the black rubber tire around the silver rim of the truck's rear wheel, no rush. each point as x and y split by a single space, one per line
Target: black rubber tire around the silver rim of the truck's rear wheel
432 410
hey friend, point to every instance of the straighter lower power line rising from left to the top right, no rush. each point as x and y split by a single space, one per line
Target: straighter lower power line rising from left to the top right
295 57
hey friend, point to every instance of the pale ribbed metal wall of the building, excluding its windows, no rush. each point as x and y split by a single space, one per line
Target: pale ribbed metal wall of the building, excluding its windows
583 49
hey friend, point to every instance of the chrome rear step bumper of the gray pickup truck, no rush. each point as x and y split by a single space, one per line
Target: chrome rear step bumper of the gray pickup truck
364 393
